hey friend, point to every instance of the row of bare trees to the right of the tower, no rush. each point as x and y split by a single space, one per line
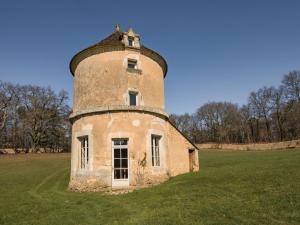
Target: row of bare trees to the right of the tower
271 114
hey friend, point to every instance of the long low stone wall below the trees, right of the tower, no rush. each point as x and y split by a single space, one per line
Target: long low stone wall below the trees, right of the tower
255 147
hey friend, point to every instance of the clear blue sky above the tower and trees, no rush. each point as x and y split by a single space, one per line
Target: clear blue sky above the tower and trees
216 50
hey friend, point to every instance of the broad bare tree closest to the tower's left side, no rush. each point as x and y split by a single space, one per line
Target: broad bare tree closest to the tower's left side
43 111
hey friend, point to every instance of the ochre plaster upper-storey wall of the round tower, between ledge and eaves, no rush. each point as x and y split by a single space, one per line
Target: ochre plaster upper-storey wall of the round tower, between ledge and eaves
103 80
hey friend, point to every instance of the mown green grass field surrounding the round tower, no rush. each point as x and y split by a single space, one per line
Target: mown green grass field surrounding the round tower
231 188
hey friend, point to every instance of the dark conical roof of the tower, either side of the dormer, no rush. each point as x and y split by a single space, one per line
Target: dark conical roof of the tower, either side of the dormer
114 43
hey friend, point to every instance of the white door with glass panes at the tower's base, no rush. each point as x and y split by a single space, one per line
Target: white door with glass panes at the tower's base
120 173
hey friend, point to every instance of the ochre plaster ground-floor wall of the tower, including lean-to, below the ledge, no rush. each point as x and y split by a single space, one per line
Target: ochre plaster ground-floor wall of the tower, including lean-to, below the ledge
137 128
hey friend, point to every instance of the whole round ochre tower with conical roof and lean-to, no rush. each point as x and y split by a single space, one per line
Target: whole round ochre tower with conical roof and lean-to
121 134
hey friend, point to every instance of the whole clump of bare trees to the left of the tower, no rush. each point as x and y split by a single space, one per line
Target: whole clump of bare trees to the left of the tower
33 118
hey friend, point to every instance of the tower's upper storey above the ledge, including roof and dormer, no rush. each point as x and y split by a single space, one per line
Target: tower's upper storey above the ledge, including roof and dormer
118 72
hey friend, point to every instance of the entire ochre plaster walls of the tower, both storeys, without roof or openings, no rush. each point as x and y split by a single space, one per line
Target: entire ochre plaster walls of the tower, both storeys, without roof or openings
103 81
